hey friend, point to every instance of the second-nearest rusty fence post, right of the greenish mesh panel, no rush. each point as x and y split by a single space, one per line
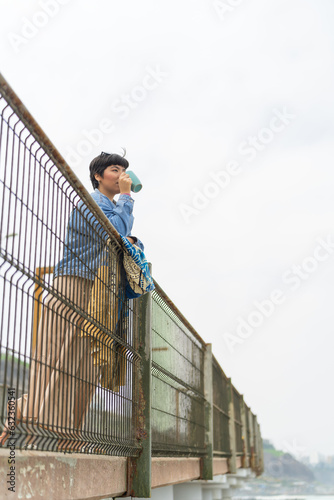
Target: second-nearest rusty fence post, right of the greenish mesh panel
207 461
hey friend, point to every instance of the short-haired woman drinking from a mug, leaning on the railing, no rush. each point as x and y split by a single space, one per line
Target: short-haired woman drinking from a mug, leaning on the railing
63 375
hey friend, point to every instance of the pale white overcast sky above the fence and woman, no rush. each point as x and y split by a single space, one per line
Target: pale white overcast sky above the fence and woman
221 78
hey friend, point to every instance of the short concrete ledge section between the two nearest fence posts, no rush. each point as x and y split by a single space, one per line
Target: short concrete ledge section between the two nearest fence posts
174 470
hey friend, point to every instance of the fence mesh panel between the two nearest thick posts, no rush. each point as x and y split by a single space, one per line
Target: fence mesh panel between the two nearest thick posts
177 384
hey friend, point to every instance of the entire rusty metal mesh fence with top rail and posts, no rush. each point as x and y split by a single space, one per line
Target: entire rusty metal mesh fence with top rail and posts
89 370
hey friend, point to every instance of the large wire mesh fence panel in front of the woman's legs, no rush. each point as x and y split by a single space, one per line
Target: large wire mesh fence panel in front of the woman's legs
67 341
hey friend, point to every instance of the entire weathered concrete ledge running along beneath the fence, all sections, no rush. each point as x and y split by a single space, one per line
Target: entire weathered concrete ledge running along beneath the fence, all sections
76 476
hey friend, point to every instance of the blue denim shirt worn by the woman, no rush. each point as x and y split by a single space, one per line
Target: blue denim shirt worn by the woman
85 238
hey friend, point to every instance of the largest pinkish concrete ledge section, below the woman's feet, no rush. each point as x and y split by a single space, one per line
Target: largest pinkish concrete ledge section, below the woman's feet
60 476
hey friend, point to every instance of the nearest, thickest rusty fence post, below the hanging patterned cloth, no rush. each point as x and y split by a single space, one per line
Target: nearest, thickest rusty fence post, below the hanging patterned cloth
140 467
